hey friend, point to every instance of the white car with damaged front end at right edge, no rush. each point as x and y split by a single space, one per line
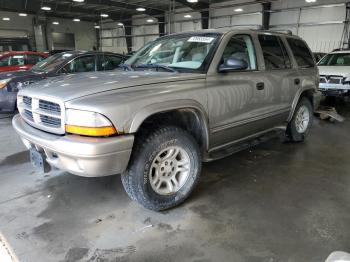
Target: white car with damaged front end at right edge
335 73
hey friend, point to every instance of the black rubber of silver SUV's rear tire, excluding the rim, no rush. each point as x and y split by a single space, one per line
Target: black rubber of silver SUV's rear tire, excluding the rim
292 132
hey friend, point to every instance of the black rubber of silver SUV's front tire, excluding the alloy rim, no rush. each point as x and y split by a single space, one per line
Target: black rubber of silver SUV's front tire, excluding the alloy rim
136 179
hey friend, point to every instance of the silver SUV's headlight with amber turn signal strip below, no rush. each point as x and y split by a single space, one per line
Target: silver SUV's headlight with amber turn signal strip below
88 123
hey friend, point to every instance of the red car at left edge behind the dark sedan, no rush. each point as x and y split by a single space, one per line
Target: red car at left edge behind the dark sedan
19 60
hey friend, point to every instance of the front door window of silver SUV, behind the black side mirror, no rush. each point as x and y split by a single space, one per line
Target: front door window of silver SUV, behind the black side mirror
240 47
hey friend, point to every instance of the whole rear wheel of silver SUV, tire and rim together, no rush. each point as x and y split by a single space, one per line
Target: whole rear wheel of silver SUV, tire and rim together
297 131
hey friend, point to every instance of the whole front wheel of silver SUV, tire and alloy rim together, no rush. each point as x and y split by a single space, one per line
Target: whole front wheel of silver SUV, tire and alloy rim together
164 169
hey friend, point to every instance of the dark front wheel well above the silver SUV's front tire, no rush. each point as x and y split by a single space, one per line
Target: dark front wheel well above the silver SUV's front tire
189 119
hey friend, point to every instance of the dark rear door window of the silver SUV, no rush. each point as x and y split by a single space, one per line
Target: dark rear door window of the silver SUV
275 54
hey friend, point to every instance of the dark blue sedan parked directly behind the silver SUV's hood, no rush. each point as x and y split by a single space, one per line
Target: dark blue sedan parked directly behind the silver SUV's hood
62 63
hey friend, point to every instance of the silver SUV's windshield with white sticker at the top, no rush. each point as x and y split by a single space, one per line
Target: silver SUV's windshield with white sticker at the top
186 52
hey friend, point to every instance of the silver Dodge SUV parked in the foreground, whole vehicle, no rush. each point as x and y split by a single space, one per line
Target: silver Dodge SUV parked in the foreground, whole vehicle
180 100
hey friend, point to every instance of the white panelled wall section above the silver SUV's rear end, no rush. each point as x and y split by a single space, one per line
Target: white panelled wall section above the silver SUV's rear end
320 23
